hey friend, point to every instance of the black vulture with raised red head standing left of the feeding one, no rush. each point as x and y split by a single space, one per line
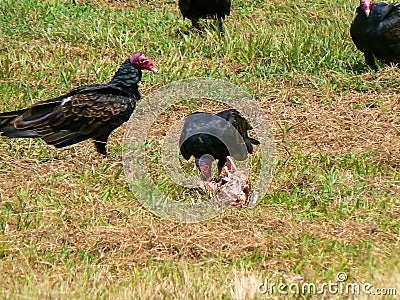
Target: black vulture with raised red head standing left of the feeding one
91 111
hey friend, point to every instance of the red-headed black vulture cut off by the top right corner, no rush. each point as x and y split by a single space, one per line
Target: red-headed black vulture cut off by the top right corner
376 31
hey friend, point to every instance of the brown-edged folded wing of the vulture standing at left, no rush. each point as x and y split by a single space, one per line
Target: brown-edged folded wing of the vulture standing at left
73 118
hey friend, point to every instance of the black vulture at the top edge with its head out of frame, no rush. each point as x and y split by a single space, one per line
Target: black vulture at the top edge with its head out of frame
200 9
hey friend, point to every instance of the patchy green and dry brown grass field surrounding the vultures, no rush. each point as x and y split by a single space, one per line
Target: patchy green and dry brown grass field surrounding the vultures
70 224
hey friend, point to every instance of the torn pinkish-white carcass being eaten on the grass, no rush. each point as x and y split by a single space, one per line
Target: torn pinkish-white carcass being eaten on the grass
232 188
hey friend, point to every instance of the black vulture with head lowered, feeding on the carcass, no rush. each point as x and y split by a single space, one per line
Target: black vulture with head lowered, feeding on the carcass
208 137
